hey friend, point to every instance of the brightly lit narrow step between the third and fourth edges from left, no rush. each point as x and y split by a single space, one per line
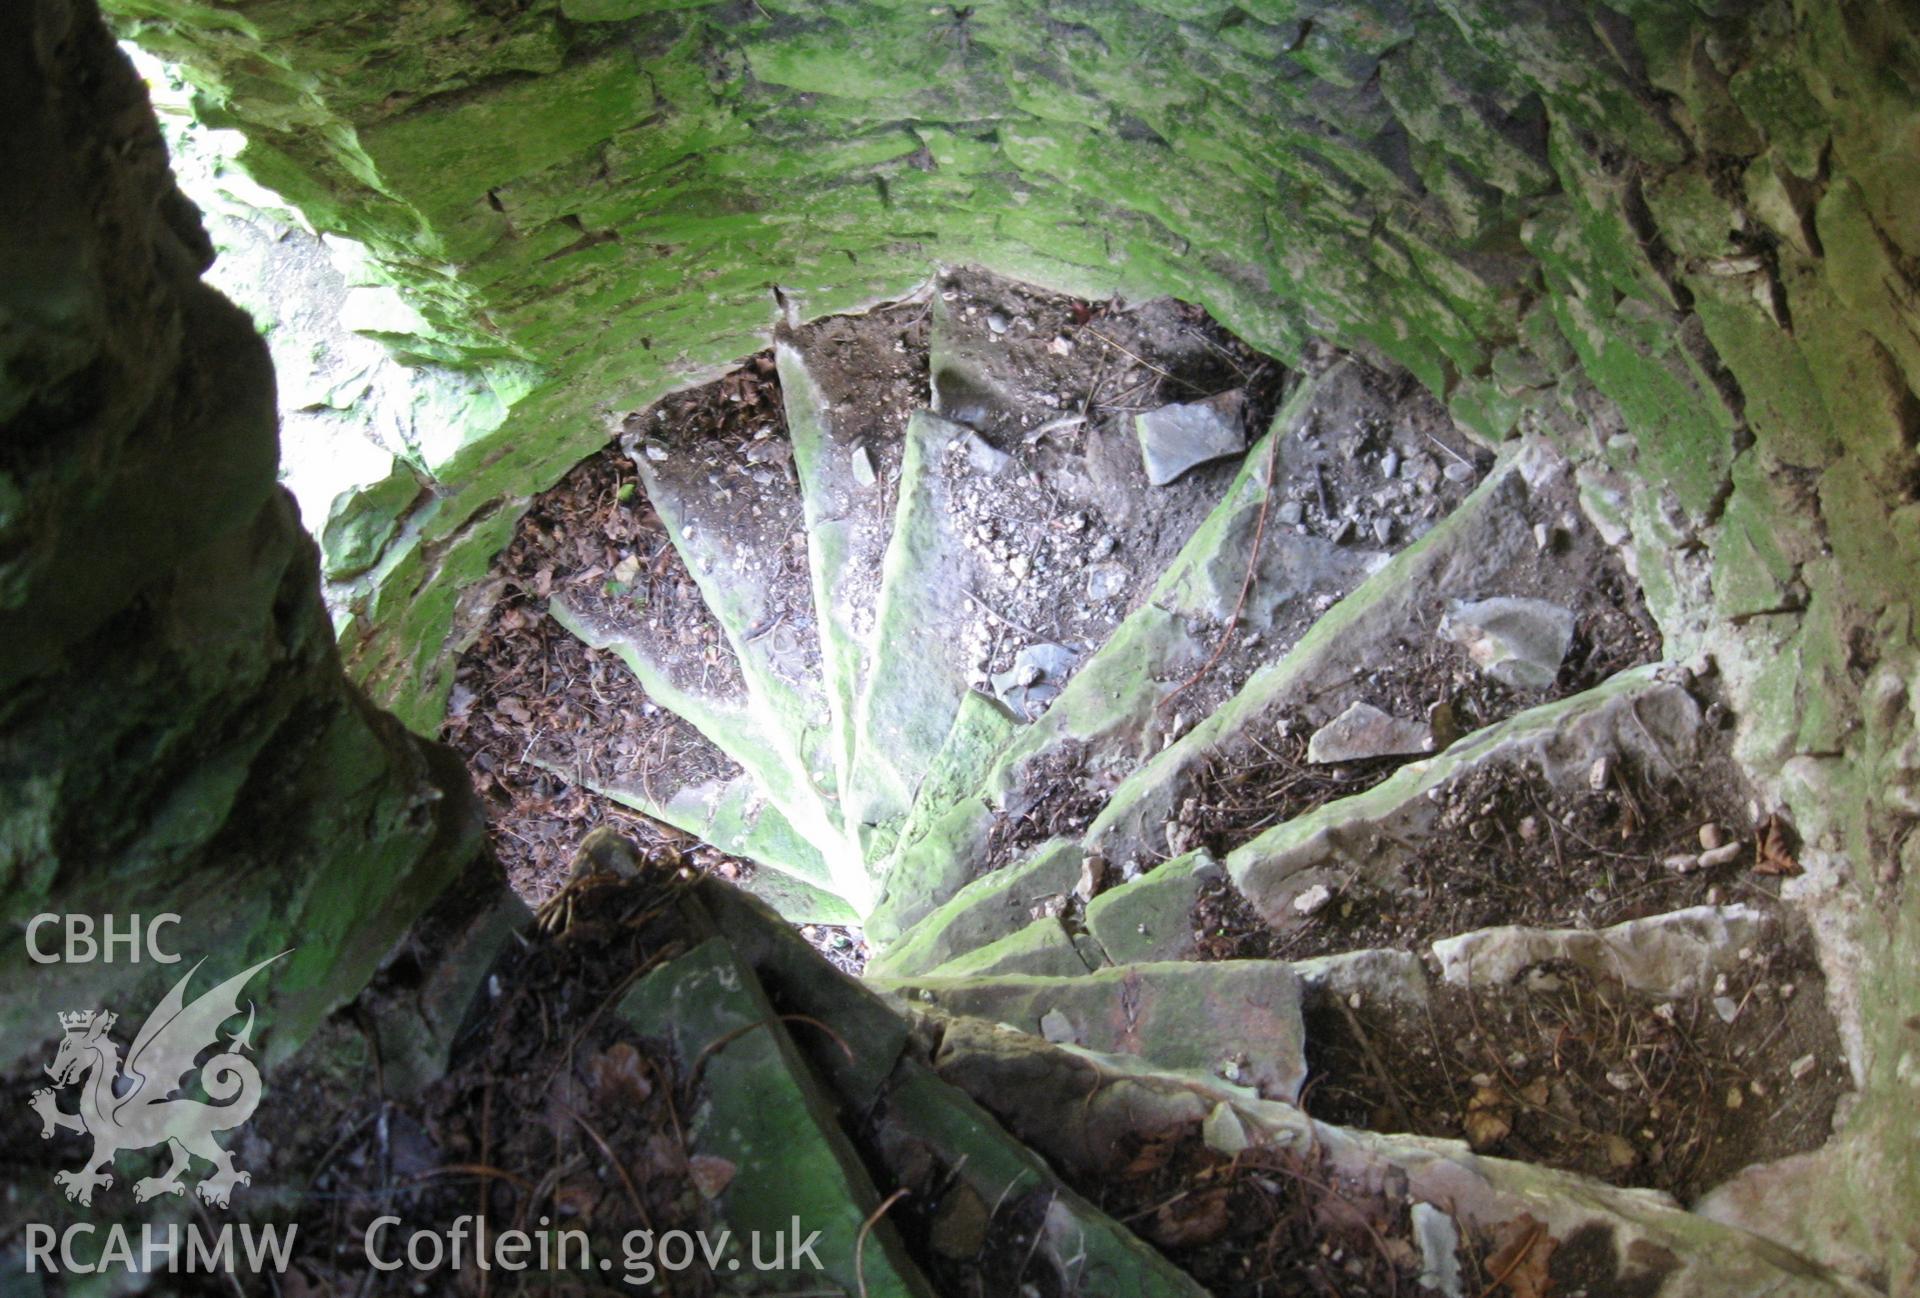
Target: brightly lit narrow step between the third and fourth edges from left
732 508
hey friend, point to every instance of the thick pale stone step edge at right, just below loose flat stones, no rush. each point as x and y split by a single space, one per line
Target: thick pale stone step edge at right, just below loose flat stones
1380 844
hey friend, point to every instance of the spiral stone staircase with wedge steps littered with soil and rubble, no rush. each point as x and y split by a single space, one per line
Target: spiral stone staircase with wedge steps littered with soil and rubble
1383 723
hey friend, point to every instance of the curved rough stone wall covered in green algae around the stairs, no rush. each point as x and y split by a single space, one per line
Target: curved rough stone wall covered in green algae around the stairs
1677 237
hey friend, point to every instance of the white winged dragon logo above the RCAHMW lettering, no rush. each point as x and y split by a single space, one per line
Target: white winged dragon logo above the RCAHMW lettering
137 1109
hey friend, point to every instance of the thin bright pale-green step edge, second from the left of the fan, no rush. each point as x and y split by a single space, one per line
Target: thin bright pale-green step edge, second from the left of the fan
732 727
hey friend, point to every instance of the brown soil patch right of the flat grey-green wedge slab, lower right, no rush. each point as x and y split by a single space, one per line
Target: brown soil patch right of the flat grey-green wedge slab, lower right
1575 1072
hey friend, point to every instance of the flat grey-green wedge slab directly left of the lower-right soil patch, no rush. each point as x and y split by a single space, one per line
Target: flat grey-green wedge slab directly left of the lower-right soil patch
1237 1021
